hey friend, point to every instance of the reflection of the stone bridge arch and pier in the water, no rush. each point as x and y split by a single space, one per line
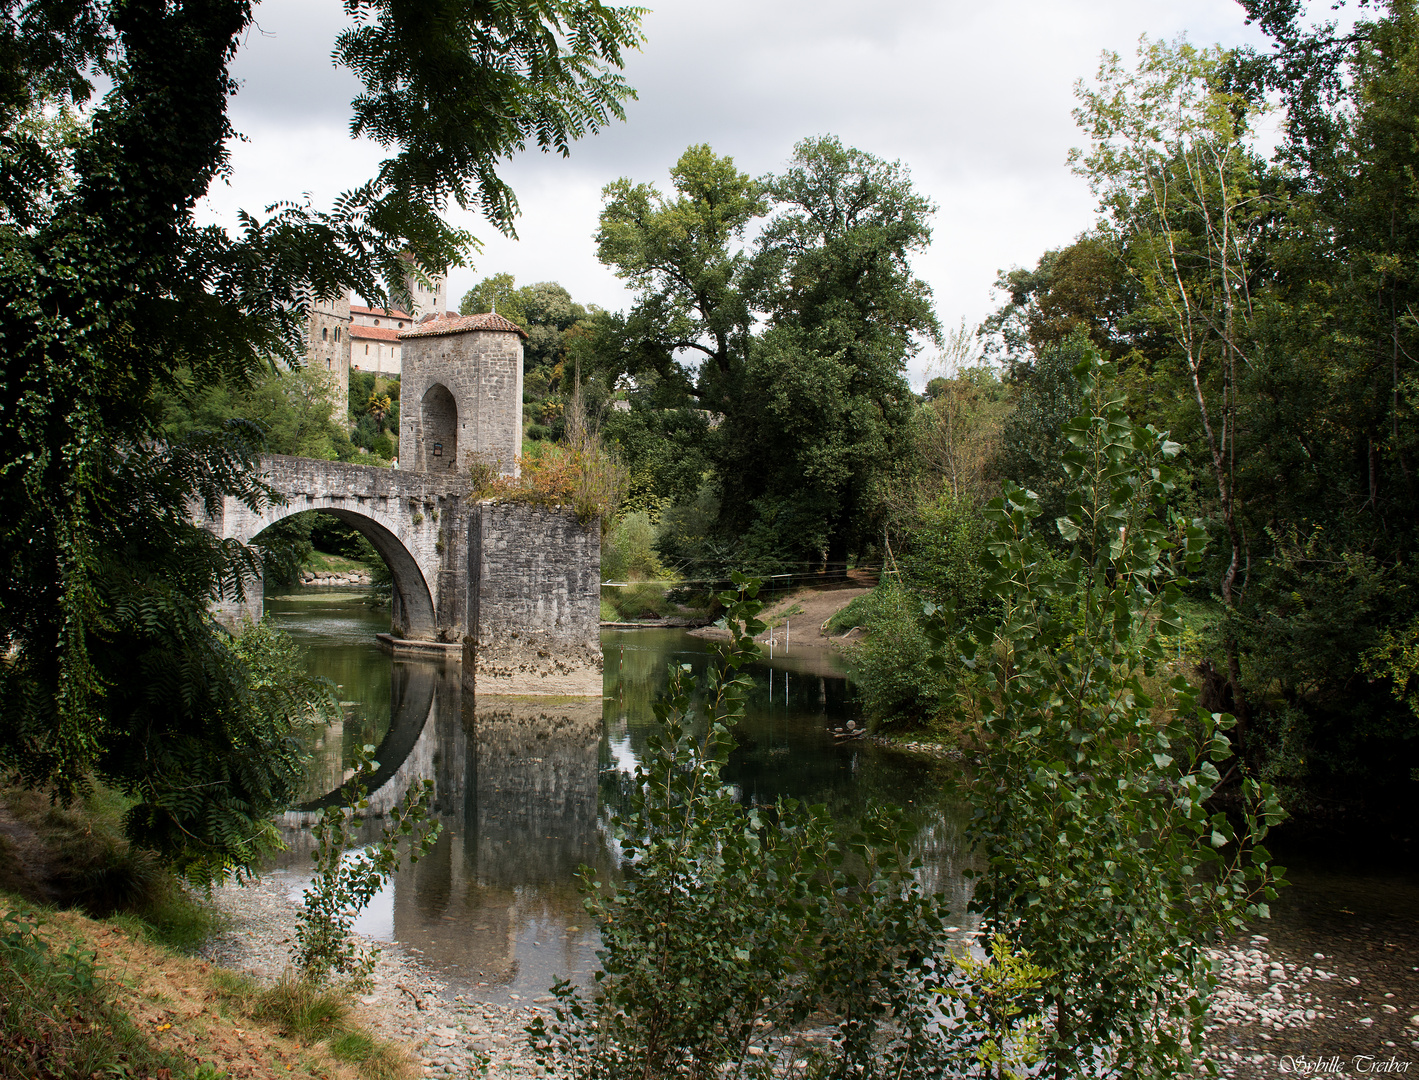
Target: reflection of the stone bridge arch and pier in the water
516 787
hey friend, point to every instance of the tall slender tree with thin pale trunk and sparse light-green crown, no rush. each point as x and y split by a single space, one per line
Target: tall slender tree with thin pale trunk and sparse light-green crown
1171 160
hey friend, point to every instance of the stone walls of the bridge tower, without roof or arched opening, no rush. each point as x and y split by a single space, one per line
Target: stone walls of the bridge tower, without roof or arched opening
483 371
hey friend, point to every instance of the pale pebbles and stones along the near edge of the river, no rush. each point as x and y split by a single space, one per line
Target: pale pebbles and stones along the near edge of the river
1276 1010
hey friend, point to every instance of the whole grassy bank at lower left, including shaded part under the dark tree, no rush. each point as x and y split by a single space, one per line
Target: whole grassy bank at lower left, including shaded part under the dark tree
97 976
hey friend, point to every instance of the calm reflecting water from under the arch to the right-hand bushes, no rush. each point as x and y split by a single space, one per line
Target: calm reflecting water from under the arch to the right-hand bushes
527 790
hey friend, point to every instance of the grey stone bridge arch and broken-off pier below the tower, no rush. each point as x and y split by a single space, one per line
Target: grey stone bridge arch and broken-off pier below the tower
510 590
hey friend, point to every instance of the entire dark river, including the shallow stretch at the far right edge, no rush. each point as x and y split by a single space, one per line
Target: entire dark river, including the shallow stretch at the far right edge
526 790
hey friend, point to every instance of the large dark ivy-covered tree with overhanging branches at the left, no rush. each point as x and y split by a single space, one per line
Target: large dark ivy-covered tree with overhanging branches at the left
111 289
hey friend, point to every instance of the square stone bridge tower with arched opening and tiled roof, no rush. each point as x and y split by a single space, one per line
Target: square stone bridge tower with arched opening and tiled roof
462 395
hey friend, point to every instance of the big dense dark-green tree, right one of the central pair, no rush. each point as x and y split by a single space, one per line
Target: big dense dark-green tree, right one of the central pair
824 409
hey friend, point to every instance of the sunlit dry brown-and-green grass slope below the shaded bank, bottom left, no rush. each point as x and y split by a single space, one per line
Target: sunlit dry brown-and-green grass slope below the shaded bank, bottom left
83 998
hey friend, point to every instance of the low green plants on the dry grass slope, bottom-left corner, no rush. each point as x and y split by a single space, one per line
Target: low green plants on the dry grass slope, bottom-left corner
56 1018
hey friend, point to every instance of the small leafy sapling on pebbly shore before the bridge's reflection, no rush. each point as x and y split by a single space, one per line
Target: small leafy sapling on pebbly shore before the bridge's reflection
344 885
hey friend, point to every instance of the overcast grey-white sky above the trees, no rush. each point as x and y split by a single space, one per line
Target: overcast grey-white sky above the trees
976 99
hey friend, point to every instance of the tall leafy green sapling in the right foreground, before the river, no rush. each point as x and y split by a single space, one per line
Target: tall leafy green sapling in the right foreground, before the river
1092 803
